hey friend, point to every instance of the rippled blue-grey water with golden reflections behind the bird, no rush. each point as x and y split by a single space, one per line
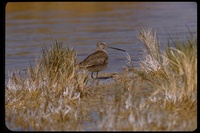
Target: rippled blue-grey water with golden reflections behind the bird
82 24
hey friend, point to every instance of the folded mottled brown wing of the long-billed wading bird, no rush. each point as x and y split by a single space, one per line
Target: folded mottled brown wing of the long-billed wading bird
96 58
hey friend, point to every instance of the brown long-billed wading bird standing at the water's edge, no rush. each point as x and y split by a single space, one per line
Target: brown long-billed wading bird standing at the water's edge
98 60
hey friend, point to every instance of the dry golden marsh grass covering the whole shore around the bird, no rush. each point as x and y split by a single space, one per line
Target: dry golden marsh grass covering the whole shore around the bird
54 95
